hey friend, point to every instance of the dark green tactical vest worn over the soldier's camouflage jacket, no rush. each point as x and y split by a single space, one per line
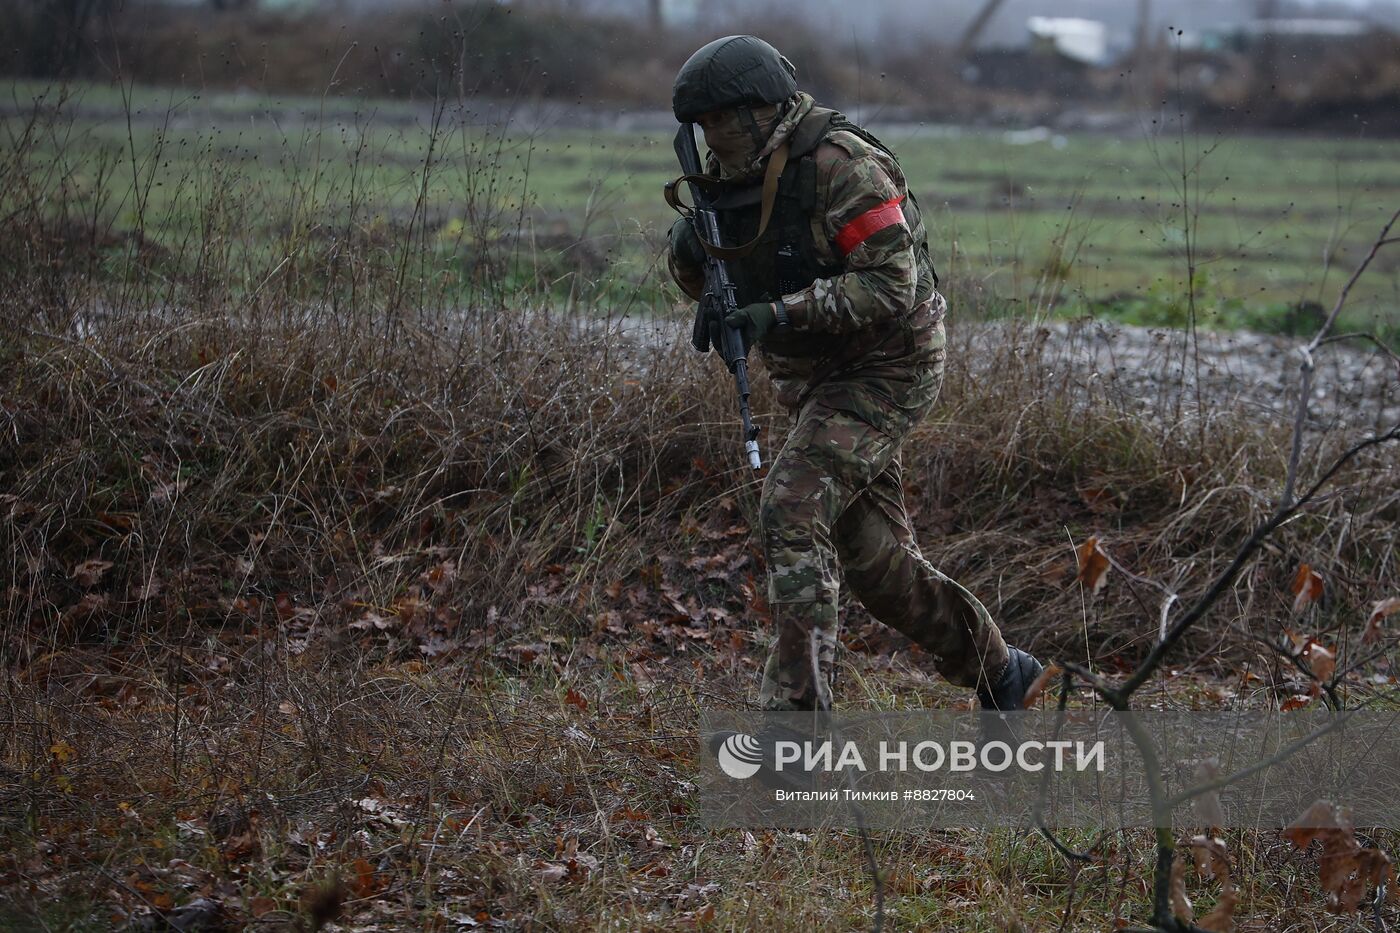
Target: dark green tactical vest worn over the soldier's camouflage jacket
786 258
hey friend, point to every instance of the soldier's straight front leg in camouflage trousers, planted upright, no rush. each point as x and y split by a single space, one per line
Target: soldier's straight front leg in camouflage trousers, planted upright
825 464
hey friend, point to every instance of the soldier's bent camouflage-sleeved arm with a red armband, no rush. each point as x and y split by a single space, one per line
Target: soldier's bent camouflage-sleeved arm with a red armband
867 233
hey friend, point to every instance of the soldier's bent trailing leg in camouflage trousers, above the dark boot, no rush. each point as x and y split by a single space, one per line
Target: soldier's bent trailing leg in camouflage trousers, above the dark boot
901 589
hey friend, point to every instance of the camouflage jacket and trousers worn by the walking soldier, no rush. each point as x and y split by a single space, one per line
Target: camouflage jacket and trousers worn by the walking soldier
859 369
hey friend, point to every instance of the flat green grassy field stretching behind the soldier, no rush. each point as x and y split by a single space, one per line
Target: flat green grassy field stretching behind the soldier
1055 223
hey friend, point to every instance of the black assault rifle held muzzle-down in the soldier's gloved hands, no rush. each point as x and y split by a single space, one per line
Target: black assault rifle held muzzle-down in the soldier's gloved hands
719 298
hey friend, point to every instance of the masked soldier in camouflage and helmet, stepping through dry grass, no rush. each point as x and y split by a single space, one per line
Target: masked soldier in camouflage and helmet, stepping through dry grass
838 291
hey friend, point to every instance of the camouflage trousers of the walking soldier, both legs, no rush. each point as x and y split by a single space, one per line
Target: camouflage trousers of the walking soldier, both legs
834 498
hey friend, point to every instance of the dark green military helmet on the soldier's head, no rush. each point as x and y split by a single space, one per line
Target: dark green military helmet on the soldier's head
731 72
